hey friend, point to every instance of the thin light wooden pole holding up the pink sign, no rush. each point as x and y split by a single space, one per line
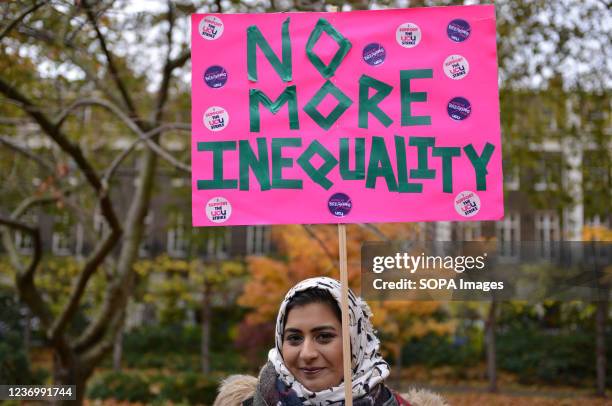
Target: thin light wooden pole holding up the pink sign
346 334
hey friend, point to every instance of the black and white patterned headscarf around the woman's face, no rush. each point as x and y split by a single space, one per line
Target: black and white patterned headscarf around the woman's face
369 368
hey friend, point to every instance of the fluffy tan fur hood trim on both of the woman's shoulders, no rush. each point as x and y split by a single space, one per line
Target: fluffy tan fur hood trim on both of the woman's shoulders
237 388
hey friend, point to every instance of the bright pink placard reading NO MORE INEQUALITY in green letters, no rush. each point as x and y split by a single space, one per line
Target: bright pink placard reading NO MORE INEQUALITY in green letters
376 116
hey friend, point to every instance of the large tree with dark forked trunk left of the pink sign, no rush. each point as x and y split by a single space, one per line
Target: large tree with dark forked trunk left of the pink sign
63 36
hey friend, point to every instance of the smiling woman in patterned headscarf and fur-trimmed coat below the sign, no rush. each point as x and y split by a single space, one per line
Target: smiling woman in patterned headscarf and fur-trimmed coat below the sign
305 366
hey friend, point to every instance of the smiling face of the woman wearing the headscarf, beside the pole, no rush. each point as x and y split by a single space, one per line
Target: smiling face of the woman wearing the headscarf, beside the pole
312 346
